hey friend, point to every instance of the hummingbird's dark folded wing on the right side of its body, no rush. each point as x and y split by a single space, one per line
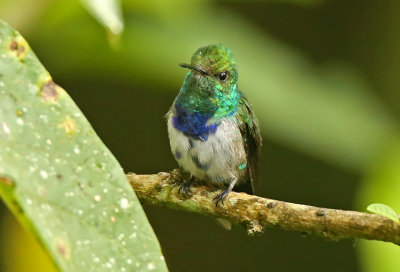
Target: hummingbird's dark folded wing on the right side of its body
249 128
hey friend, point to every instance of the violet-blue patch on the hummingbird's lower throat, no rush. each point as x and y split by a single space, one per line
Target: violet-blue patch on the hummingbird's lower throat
193 124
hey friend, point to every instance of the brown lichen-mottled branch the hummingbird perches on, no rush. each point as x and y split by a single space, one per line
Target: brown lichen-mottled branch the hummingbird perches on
257 212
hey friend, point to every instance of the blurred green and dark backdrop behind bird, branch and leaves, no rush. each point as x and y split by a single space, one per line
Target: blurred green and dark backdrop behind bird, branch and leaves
323 80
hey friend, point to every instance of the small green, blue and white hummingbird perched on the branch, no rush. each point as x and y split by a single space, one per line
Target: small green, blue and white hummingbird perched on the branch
213 132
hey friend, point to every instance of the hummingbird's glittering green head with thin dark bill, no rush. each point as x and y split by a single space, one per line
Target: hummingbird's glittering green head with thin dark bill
211 85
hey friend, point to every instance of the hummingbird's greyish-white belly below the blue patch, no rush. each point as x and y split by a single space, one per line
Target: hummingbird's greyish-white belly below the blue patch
217 160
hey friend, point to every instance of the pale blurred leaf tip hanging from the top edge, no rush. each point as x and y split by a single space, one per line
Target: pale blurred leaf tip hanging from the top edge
107 12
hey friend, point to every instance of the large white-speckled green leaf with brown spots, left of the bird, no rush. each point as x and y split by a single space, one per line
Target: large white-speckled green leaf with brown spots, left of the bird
59 179
